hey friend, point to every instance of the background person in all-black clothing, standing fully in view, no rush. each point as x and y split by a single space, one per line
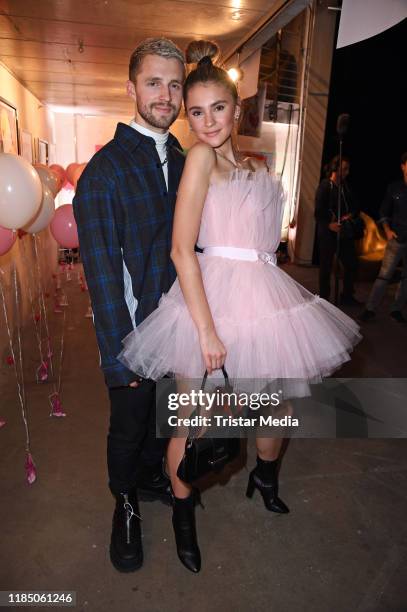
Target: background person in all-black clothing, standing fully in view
326 209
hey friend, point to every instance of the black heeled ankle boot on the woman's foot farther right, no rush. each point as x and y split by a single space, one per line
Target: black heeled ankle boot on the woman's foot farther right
264 478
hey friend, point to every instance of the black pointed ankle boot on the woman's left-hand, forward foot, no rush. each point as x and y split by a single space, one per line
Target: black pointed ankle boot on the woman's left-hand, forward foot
183 521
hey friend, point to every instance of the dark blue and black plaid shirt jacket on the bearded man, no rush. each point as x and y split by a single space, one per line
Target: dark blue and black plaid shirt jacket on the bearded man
124 212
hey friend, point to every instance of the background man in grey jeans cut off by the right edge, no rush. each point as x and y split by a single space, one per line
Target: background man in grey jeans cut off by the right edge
393 214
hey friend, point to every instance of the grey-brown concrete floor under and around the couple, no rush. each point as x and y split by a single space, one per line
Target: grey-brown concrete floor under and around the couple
343 546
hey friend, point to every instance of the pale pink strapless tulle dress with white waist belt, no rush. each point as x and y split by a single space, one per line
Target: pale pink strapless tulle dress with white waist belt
271 326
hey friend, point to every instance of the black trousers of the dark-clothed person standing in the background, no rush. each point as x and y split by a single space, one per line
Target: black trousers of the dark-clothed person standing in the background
347 256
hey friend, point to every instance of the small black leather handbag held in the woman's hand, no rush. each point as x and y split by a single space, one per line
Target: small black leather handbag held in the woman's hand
203 455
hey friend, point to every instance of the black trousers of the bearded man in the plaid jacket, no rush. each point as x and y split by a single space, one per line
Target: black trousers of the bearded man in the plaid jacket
131 442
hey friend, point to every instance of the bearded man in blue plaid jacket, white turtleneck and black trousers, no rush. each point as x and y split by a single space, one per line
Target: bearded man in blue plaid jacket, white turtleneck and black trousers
124 209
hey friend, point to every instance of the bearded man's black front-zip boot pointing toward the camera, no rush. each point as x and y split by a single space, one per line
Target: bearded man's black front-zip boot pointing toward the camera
126 550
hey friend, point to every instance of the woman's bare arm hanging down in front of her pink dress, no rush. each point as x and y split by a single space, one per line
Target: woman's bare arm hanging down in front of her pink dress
187 219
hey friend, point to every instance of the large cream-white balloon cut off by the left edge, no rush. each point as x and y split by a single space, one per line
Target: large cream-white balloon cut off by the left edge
20 191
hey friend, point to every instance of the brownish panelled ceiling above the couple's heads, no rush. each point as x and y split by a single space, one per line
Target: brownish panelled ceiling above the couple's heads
41 42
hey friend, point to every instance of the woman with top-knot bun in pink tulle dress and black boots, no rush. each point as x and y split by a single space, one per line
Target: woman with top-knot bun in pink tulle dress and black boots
230 305
